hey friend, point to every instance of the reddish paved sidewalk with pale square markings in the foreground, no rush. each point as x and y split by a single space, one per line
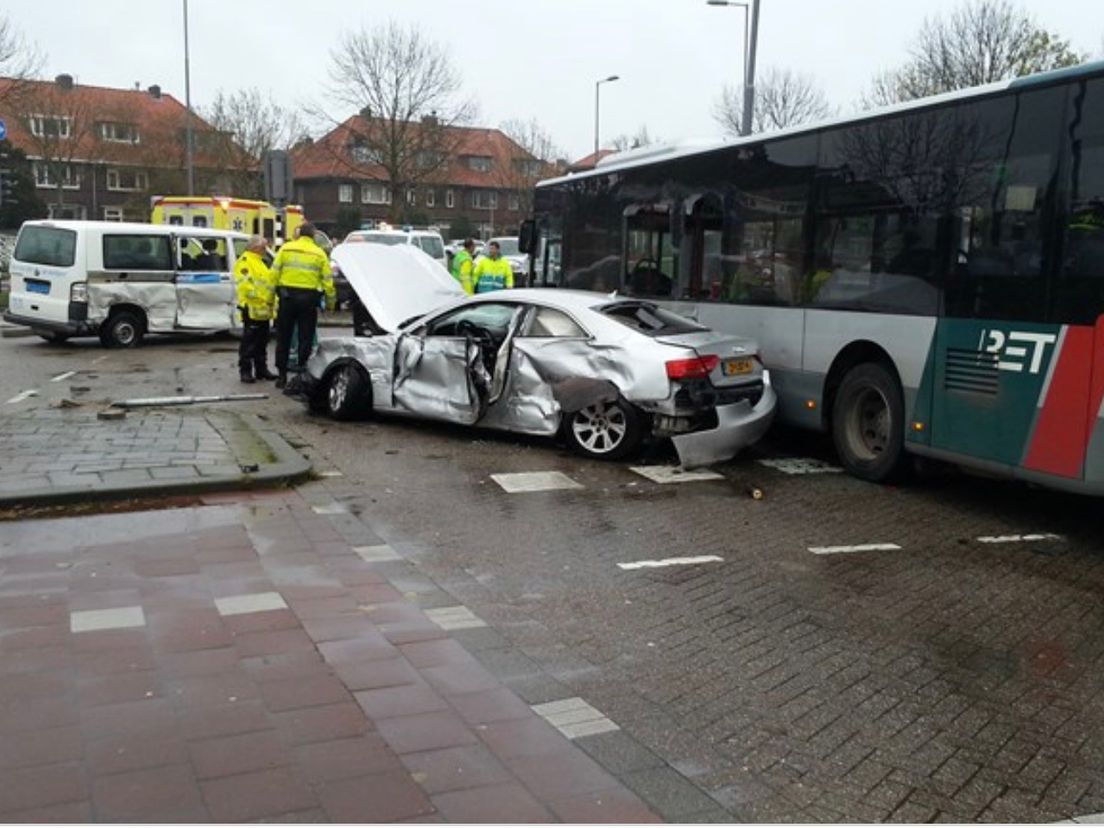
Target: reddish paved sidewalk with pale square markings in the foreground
245 662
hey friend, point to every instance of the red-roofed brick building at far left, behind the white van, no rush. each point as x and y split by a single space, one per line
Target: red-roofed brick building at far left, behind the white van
100 153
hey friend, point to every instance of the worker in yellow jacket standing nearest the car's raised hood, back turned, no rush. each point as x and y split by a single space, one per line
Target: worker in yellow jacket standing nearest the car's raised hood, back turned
304 281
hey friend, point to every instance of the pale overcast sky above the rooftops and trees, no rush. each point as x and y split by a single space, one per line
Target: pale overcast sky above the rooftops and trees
519 59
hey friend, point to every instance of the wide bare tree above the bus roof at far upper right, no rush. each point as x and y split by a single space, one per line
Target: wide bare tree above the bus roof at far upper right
982 41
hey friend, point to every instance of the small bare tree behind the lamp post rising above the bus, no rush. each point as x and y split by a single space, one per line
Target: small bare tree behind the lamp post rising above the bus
783 99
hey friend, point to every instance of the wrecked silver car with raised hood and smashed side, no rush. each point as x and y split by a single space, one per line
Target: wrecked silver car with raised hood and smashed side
604 371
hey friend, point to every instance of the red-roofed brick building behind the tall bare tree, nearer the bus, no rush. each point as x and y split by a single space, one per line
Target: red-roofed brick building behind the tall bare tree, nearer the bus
481 178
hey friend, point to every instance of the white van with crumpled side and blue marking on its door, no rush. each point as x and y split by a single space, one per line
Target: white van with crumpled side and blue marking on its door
120 282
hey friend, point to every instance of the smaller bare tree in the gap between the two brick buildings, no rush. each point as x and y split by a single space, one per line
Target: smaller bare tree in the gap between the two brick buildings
250 124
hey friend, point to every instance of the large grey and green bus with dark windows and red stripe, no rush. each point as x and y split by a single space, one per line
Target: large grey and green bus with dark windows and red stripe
923 280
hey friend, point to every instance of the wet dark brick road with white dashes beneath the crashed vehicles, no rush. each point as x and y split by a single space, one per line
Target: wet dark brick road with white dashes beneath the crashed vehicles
847 651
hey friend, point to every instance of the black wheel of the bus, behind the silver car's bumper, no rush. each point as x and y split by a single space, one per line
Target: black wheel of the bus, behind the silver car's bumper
868 423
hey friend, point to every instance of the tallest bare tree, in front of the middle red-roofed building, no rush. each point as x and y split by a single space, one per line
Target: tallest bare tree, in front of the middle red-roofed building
407 90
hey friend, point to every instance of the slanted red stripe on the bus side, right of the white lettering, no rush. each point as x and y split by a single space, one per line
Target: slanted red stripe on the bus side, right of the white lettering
1061 433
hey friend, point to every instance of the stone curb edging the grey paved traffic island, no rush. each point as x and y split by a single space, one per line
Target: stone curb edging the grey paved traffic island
291 468
